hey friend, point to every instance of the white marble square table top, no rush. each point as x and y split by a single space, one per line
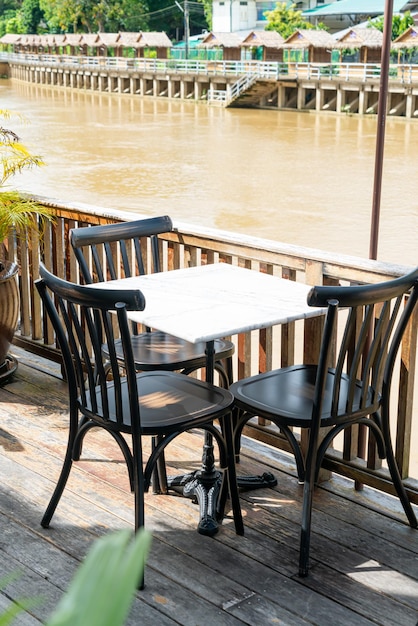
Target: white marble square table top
213 301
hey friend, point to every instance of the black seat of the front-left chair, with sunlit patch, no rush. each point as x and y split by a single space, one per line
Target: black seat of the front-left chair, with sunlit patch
167 401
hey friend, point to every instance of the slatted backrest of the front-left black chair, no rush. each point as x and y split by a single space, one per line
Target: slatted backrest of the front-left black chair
86 316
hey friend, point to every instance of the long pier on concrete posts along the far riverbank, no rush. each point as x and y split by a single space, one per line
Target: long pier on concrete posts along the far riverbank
334 88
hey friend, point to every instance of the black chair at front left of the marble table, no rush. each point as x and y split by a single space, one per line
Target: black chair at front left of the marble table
161 404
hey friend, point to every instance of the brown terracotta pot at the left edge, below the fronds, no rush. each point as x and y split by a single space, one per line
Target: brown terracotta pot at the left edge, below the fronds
9 314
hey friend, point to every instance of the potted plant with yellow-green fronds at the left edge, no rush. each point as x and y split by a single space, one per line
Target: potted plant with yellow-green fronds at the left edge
17 214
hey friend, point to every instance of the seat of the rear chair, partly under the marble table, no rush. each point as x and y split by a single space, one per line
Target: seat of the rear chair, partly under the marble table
158 350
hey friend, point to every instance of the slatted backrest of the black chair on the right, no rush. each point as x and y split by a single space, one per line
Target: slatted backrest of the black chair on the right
372 333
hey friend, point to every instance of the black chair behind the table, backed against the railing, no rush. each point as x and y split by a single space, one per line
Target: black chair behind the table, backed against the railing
120 250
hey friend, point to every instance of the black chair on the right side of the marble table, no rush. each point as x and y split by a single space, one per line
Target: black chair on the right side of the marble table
350 385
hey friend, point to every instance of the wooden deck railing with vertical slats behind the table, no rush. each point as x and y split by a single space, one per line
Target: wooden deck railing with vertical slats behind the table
256 351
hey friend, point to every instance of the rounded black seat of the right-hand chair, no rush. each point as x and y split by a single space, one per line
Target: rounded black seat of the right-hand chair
288 393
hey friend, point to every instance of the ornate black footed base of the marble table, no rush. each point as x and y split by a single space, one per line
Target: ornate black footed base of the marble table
205 489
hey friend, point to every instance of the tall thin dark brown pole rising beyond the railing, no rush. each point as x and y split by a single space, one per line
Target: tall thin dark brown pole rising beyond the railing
381 121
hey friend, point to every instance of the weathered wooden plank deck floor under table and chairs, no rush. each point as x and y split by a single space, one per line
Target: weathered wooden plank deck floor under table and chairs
364 558
